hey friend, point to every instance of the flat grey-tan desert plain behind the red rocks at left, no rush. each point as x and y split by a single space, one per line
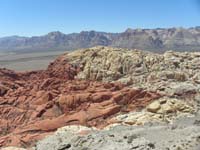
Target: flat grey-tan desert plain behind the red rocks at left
27 61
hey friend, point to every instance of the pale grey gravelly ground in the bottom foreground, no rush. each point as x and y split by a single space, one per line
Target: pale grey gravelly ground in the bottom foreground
183 134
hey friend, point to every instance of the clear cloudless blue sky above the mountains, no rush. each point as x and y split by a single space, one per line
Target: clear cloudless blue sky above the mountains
38 17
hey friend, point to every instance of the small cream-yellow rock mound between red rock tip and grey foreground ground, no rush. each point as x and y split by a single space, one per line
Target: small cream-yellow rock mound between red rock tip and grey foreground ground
165 109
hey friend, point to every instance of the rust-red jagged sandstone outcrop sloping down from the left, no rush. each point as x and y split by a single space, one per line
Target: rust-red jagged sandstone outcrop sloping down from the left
34 104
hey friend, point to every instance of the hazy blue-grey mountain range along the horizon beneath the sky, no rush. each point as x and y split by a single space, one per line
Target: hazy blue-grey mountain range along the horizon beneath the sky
159 39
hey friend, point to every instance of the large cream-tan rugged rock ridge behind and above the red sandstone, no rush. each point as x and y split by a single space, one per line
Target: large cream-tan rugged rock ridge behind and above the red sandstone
135 67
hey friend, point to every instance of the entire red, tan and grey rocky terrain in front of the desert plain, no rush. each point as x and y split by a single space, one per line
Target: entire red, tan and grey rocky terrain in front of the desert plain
104 98
